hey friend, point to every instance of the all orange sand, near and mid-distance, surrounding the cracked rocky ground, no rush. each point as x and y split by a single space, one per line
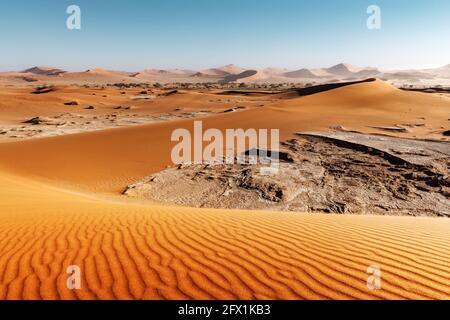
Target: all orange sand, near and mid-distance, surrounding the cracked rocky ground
61 204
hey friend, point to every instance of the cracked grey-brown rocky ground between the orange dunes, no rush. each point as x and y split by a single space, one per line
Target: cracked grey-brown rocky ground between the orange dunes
342 174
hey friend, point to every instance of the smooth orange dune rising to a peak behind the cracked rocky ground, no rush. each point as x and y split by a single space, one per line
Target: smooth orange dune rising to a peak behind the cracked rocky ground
109 160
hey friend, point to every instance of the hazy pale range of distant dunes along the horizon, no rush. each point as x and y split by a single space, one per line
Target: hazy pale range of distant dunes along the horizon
234 73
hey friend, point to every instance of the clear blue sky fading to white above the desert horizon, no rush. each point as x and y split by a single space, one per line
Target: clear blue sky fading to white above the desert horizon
136 34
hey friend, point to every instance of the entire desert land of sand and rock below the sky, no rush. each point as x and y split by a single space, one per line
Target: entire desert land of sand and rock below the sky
86 179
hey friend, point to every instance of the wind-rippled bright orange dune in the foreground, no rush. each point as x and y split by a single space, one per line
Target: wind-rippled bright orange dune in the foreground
137 251
